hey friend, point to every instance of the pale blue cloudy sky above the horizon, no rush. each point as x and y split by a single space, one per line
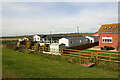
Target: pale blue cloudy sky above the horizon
22 18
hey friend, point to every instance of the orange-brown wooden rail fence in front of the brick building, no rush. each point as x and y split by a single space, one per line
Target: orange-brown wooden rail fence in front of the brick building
111 57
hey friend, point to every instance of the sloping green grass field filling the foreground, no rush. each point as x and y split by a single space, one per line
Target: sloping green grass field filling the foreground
22 65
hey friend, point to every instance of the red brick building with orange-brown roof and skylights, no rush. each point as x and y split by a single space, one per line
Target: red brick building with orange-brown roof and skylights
109 35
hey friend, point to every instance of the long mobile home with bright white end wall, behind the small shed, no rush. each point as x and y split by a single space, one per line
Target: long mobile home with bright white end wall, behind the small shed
73 41
